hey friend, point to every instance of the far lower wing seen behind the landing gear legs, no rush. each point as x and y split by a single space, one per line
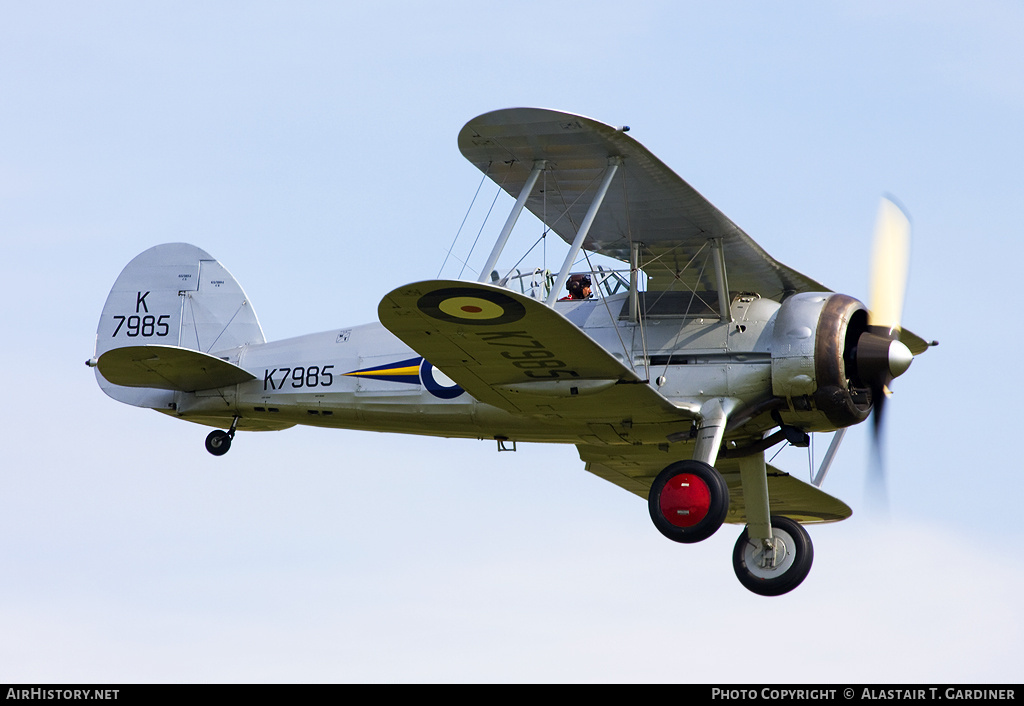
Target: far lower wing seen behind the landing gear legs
635 468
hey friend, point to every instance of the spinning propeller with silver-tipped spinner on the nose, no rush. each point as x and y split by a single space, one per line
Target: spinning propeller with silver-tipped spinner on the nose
881 357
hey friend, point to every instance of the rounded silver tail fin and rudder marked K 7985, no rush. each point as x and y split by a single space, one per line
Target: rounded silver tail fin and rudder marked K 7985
174 296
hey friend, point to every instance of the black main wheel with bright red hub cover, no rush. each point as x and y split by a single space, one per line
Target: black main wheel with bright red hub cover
689 502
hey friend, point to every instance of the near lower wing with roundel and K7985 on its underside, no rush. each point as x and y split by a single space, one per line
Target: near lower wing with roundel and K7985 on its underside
519 355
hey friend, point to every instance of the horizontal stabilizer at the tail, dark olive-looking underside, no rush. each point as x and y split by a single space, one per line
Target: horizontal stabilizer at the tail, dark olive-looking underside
169 367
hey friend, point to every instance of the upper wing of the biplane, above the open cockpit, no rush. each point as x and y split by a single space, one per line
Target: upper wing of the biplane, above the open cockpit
653 205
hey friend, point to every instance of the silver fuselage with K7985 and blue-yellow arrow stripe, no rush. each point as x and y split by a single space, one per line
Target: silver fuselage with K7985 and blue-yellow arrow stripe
364 378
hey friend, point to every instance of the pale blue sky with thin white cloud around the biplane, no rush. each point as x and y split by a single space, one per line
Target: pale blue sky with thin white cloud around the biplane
311 147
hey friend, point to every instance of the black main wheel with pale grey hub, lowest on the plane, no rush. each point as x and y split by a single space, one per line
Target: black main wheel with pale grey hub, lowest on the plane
775 576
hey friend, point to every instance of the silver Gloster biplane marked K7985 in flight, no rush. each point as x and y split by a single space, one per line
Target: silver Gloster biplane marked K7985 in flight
687 365
